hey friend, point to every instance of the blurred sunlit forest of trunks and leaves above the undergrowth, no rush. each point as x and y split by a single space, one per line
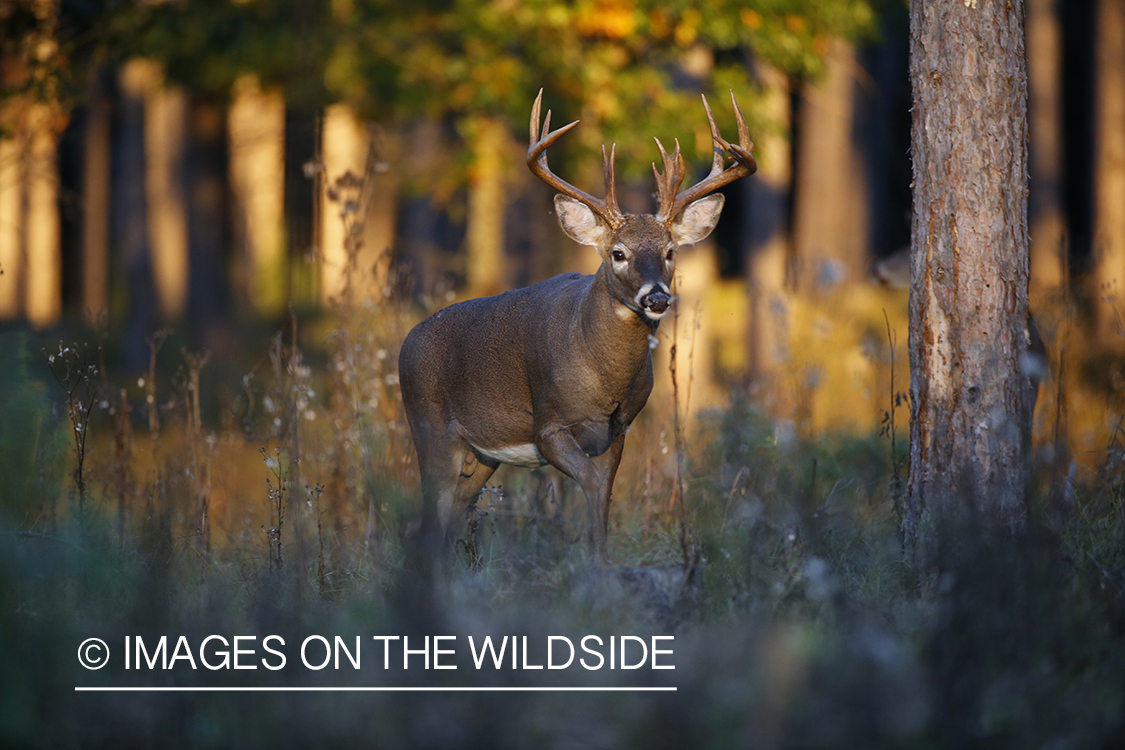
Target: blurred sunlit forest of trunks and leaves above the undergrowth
210 166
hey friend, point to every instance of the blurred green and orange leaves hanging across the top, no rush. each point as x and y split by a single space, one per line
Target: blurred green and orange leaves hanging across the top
622 66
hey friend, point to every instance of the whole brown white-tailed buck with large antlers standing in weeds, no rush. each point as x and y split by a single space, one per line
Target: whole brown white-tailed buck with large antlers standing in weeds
556 373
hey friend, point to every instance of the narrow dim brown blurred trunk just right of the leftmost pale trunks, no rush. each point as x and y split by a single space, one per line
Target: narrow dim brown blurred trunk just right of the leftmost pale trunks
96 182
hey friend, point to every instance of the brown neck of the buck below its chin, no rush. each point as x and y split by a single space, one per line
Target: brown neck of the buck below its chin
617 337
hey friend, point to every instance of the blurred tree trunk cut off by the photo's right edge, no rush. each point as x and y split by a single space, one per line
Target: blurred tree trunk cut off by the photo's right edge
1110 173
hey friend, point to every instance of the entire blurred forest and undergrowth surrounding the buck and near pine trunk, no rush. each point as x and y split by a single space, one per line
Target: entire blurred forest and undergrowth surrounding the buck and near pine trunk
219 220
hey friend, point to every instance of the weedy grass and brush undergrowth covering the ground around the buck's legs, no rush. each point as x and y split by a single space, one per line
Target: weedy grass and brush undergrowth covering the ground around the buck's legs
274 498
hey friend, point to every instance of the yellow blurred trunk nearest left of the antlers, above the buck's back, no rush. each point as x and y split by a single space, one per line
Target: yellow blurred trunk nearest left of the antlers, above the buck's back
485 263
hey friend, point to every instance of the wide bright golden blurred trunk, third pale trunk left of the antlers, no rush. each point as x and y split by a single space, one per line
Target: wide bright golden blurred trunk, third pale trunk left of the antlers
256 124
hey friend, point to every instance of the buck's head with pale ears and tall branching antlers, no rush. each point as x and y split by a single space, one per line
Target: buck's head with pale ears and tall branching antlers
638 250
